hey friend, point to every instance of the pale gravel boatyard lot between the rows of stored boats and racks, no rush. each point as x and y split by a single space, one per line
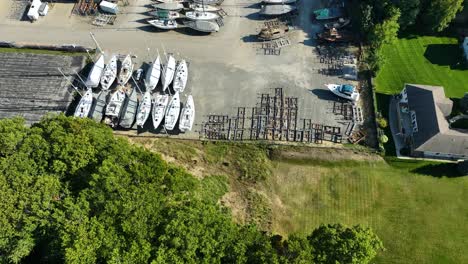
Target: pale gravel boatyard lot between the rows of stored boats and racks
227 69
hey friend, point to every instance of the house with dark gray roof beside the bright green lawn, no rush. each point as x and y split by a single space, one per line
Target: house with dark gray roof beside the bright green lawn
422 113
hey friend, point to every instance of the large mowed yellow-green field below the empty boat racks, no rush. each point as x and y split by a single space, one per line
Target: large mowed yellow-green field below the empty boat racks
421 219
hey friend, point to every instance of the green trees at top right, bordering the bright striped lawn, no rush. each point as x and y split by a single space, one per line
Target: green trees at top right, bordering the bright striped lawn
379 21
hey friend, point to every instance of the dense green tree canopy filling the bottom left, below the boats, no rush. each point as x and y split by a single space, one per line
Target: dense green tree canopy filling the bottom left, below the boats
71 192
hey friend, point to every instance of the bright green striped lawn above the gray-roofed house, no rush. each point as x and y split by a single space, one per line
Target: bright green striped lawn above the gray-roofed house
423 60
